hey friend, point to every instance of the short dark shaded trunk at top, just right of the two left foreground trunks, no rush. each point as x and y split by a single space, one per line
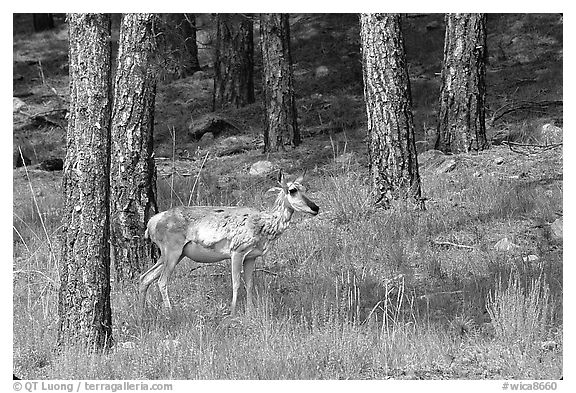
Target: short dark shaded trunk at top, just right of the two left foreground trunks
180 37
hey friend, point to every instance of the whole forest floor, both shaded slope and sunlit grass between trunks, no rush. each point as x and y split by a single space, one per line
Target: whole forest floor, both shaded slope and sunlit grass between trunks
355 292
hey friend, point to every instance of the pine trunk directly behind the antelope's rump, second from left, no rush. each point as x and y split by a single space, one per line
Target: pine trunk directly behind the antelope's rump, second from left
132 170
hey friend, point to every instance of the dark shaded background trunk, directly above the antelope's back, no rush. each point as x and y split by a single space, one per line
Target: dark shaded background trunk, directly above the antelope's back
234 62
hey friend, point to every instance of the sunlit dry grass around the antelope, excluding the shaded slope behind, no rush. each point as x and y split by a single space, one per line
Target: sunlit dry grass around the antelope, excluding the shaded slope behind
356 293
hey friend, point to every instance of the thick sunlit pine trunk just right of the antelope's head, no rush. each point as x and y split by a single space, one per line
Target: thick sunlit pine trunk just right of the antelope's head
393 163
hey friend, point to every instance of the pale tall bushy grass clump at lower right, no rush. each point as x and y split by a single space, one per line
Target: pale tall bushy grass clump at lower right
521 313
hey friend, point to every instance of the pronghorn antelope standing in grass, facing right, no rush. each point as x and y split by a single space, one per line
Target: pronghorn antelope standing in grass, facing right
208 234
